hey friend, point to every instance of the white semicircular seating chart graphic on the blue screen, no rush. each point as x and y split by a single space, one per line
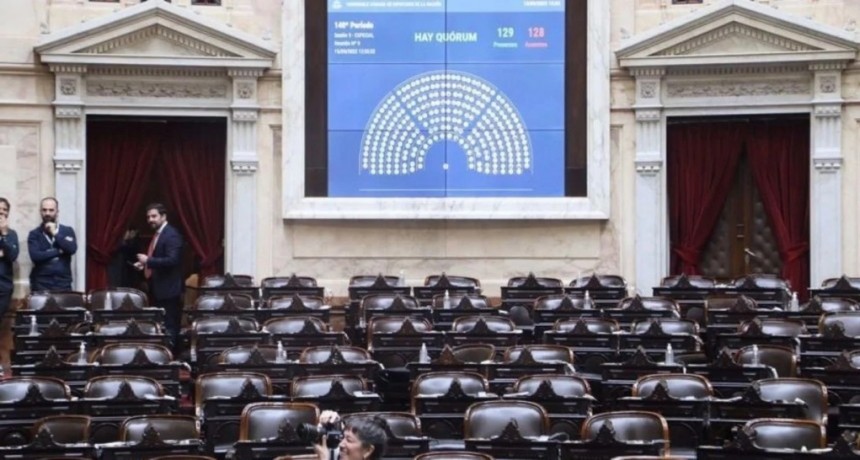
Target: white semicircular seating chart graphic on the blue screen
450 106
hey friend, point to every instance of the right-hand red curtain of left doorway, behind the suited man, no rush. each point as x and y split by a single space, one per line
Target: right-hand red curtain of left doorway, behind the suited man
193 168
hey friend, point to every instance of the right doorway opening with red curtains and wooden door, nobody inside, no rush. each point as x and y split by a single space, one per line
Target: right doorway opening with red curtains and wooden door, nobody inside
739 196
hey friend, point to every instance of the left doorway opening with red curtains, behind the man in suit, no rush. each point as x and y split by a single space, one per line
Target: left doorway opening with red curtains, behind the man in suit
135 161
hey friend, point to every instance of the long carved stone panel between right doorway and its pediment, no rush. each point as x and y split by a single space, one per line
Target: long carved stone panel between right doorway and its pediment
737 88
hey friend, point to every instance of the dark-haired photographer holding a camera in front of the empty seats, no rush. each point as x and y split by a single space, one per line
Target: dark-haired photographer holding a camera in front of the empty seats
364 438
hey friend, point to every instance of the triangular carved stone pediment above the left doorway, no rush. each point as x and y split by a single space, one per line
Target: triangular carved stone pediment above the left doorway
150 34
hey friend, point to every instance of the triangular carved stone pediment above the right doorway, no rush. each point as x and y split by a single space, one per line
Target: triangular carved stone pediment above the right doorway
734 32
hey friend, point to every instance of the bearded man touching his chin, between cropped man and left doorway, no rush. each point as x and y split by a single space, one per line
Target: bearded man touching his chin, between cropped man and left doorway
51 247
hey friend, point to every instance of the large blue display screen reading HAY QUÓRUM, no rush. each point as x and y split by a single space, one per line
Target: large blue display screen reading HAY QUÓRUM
446 98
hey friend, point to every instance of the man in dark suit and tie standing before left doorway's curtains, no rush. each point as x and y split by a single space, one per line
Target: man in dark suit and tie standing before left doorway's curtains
162 268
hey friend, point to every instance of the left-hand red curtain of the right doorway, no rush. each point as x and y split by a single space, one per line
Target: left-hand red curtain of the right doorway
701 162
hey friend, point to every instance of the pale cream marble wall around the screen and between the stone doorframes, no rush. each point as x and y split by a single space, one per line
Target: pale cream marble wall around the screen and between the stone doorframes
333 250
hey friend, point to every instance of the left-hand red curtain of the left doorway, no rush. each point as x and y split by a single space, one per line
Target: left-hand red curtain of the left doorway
120 156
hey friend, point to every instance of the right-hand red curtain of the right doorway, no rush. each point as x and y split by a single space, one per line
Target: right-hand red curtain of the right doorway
779 161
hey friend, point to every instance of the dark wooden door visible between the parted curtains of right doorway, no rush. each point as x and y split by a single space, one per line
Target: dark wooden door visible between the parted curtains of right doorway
742 241
